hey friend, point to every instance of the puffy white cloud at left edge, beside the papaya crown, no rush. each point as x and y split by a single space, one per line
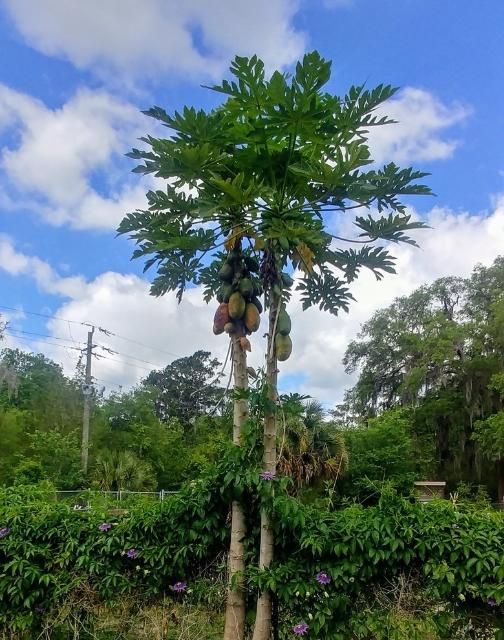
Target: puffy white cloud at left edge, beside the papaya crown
56 156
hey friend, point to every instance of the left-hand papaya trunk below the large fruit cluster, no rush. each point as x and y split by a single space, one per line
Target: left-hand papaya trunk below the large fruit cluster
234 627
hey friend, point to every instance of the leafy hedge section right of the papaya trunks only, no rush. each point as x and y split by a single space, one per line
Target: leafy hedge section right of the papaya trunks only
362 548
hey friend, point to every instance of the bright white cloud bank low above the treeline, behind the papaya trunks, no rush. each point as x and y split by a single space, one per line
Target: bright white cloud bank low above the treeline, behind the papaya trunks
158 330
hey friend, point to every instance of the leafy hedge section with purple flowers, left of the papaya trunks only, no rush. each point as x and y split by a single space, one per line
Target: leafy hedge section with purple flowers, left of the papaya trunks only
52 551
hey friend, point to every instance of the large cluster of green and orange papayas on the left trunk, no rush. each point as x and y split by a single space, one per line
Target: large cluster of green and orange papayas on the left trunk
240 308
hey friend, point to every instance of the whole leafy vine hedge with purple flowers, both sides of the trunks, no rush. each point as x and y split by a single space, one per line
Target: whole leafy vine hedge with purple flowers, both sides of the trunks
453 554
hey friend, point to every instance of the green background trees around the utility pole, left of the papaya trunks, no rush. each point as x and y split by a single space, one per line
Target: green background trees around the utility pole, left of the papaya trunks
155 436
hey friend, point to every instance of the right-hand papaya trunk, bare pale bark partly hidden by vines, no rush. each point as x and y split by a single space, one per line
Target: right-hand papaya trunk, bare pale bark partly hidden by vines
262 628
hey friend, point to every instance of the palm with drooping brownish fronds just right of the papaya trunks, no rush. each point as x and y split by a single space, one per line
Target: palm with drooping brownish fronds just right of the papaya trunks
310 448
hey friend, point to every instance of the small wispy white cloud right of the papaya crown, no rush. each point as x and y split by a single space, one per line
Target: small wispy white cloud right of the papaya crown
419 134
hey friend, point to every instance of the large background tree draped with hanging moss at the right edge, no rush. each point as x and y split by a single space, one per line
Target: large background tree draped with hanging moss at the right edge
439 352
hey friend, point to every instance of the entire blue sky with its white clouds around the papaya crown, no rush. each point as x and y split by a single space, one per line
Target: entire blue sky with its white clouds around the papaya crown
73 79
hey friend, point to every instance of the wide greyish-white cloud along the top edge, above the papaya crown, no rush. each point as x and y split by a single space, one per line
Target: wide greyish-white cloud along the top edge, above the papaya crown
155 37
